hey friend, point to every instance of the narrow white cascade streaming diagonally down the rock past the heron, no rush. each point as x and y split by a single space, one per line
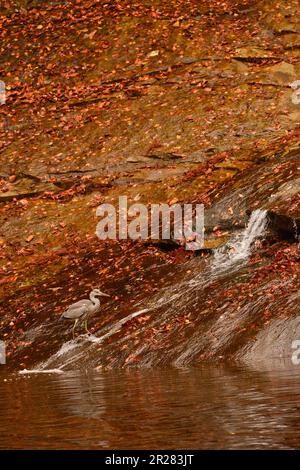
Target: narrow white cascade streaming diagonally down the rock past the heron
183 296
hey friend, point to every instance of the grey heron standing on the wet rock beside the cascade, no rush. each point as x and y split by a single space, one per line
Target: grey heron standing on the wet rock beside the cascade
82 309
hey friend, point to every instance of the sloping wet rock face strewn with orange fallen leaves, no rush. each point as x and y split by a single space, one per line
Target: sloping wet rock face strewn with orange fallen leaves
197 109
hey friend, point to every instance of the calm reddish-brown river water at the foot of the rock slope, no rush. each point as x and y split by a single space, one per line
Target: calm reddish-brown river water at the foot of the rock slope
215 407
